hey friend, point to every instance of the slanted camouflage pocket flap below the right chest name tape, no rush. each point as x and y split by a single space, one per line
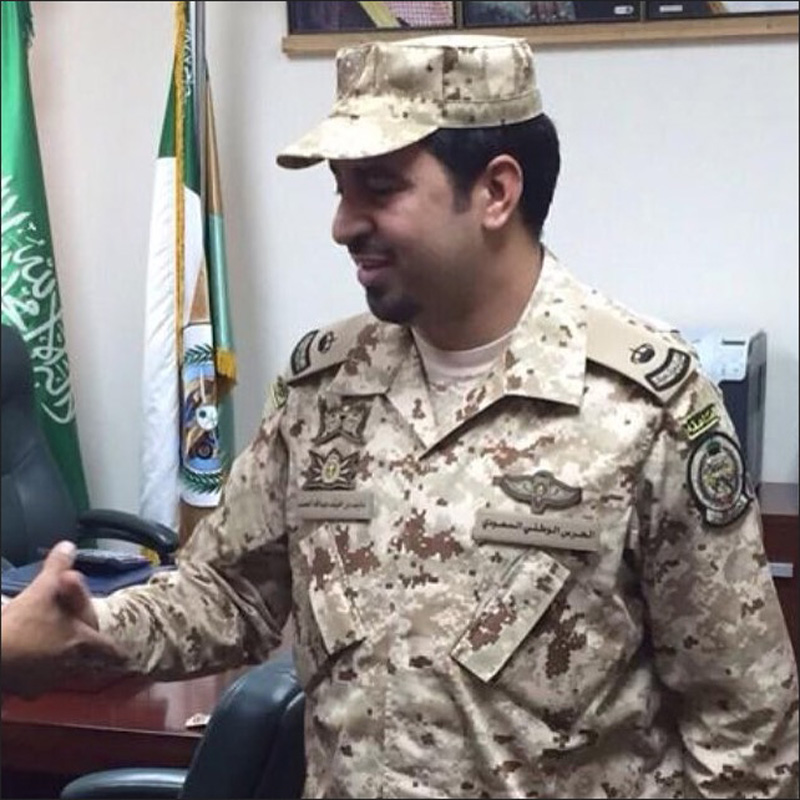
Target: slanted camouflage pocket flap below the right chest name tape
508 615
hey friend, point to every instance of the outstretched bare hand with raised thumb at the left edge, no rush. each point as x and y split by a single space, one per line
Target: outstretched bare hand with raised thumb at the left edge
49 631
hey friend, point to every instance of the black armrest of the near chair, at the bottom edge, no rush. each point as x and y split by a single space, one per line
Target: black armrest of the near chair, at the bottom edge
135 783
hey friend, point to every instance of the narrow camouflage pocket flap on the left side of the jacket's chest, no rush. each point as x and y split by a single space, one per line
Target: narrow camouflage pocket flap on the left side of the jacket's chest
337 619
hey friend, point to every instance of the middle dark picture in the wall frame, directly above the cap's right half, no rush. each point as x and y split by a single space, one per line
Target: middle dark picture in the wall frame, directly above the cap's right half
487 14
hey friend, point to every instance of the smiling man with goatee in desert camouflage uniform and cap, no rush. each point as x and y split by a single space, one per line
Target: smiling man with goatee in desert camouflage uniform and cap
510 521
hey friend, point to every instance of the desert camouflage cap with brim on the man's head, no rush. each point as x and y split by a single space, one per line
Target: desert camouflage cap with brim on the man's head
392 94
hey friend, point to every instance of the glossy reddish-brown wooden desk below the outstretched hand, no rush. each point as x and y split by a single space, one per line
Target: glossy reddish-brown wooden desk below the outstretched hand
133 722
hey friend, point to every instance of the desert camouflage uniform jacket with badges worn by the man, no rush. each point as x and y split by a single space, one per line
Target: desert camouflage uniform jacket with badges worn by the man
514 595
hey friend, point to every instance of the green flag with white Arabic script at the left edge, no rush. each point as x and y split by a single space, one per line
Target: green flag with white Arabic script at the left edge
30 298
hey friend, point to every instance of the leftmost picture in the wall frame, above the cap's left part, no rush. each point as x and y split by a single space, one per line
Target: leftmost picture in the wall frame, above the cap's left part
331 16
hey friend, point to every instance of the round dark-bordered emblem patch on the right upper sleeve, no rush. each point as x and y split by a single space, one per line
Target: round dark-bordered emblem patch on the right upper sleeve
717 480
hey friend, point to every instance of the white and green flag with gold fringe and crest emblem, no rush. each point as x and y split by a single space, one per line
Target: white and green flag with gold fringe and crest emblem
189 364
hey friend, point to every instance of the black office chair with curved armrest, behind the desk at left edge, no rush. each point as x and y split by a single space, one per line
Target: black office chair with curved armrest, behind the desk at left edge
37 509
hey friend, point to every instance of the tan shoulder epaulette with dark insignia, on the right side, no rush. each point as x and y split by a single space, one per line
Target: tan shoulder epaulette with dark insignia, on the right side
655 359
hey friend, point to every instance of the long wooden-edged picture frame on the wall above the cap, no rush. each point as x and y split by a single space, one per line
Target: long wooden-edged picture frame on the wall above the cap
594 23
